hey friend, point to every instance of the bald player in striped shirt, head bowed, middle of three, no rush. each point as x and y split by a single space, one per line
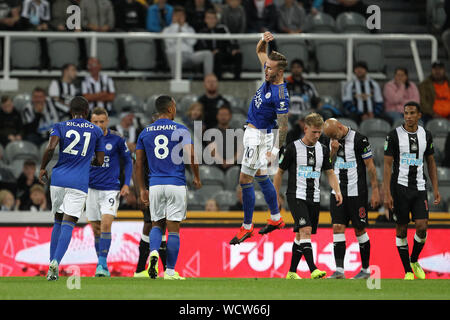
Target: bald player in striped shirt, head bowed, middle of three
353 154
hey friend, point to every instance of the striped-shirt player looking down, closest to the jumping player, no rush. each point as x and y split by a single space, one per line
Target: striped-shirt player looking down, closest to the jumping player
305 159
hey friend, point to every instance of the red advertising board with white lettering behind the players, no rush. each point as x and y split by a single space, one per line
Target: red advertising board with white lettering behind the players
205 252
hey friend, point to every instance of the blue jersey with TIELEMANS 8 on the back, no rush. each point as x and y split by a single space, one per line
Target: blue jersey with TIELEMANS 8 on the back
163 143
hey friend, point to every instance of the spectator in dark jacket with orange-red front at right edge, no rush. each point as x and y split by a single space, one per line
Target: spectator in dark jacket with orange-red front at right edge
435 93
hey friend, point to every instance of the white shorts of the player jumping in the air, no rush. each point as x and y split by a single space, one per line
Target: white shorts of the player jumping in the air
256 145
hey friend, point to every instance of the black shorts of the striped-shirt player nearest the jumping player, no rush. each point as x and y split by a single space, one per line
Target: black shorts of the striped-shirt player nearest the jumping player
305 213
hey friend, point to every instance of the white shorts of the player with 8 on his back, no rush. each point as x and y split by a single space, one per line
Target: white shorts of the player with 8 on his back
168 202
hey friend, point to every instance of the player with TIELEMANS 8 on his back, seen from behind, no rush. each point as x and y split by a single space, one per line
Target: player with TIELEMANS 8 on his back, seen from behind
167 146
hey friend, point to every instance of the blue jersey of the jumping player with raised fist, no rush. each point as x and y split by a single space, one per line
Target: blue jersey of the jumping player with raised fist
269 100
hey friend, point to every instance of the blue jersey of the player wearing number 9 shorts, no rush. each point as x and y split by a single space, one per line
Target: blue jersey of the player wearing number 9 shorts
106 177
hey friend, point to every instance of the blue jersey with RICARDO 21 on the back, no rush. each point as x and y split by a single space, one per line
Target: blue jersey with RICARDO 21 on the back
78 141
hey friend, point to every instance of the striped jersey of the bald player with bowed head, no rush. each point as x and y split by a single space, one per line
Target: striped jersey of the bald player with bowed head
349 165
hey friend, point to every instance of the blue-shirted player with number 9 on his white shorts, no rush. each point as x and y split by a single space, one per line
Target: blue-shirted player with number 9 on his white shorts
104 188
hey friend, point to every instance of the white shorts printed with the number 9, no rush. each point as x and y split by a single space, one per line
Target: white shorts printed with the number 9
101 202
